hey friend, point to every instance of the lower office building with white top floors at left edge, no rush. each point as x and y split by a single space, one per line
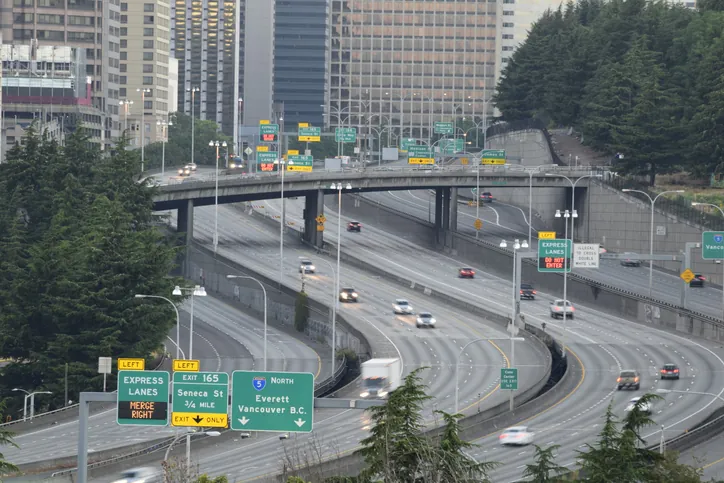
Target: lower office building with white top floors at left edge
48 86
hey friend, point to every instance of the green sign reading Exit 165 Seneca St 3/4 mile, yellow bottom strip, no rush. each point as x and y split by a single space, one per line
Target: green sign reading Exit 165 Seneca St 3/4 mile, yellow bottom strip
200 399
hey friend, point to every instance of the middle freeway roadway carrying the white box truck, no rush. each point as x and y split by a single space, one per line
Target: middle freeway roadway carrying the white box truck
255 244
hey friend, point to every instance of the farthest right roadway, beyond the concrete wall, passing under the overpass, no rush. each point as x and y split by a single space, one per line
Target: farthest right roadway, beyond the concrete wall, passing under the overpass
502 220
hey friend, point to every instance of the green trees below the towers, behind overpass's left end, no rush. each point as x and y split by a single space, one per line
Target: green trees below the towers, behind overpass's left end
178 147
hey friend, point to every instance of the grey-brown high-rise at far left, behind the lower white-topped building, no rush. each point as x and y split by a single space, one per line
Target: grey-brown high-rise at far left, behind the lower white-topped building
89 24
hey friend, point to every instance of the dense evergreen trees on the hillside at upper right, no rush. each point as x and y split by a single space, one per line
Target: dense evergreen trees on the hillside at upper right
637 77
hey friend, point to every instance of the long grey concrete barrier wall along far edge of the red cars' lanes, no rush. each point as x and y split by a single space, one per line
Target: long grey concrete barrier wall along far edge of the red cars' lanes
582 290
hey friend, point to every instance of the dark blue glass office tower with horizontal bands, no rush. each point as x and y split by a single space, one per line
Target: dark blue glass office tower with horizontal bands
301 59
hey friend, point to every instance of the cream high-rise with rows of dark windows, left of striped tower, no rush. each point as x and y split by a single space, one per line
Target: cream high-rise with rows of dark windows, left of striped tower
145 40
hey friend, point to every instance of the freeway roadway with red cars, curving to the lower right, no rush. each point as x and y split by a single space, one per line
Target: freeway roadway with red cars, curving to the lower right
604 344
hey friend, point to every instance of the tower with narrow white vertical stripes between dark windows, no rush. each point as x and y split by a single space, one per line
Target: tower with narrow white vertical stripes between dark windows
206 43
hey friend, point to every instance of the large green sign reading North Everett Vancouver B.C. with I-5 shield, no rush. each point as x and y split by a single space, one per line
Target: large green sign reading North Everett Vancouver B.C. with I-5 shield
272 401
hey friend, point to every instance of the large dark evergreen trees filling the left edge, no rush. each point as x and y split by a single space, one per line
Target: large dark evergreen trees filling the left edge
77 242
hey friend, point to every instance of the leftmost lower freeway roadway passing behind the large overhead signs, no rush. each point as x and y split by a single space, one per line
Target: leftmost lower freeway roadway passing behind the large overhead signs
224 340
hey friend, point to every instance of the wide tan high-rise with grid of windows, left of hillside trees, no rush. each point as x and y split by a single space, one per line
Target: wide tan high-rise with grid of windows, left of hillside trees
409 64
